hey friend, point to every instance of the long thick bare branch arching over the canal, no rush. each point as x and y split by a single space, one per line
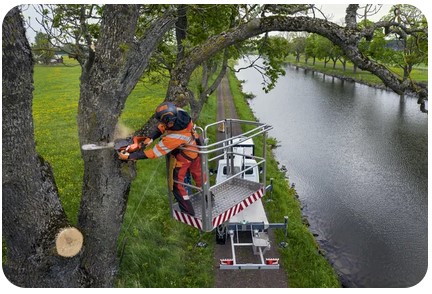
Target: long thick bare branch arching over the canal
346 38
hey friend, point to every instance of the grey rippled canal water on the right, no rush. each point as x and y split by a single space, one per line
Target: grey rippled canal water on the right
358 158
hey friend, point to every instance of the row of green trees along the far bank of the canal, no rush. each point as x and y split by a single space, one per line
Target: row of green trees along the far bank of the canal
398 50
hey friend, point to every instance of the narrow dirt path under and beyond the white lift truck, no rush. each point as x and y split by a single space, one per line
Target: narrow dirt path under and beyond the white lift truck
242 278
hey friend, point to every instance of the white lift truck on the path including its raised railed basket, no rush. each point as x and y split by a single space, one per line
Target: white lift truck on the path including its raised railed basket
229 201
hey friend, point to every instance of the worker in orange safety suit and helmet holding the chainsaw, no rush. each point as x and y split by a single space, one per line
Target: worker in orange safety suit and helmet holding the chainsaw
176 129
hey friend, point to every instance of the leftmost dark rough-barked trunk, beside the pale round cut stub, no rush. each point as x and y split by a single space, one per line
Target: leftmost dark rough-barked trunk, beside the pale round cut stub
32 212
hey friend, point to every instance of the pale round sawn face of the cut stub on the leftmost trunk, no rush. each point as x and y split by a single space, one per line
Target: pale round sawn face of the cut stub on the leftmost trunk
69 242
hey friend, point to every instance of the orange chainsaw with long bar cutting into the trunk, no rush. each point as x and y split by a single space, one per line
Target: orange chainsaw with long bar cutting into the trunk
130 144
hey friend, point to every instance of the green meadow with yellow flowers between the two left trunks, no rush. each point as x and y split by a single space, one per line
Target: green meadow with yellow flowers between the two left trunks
55 104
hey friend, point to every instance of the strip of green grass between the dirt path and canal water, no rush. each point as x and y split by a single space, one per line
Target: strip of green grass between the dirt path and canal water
301 259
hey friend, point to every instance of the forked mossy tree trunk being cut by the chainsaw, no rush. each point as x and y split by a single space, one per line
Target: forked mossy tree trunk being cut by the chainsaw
105 85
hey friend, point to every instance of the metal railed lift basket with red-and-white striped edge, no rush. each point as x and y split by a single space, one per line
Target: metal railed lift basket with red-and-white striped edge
215 204
